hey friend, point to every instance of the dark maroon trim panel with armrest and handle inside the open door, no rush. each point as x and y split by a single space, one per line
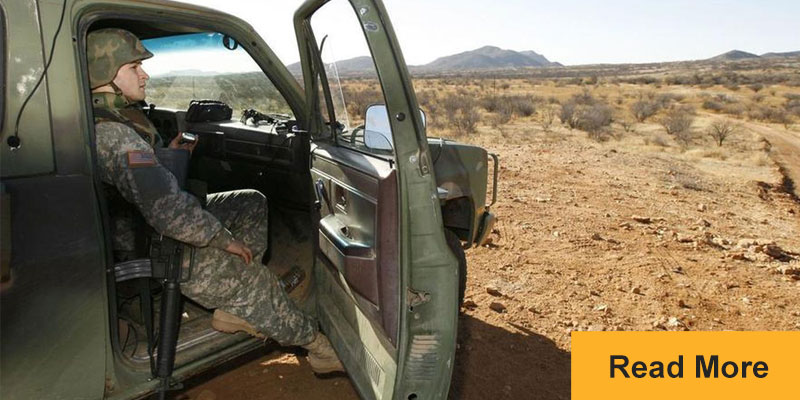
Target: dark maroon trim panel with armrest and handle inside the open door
362 193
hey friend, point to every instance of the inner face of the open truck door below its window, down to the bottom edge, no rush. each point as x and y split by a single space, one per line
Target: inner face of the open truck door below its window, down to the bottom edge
357 266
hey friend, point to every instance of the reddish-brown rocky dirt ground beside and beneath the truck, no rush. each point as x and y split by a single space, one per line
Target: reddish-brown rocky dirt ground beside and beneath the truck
615 235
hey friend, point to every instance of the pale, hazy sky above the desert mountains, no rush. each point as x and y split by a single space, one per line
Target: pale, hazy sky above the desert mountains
572 32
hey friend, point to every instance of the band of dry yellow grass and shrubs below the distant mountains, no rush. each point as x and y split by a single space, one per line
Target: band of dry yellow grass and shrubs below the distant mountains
654 108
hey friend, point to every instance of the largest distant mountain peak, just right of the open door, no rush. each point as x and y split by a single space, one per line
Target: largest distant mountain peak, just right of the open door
488 57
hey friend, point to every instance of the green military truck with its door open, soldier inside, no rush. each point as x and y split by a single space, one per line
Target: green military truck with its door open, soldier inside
372 212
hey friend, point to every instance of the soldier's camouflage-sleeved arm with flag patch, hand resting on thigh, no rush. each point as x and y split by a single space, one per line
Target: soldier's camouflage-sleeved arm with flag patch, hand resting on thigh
128 162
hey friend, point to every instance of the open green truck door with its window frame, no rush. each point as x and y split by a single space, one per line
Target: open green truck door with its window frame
387 282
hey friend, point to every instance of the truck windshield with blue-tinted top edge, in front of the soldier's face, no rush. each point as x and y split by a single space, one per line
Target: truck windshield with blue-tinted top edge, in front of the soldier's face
208 66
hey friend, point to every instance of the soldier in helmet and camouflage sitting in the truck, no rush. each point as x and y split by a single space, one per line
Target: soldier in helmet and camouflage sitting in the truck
228 234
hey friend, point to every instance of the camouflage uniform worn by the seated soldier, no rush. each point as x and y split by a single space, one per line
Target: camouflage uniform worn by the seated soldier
221 280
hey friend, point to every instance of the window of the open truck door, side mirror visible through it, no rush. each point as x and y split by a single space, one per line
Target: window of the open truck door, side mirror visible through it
352 78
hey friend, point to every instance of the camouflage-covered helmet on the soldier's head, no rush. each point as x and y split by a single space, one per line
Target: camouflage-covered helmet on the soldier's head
108 50
